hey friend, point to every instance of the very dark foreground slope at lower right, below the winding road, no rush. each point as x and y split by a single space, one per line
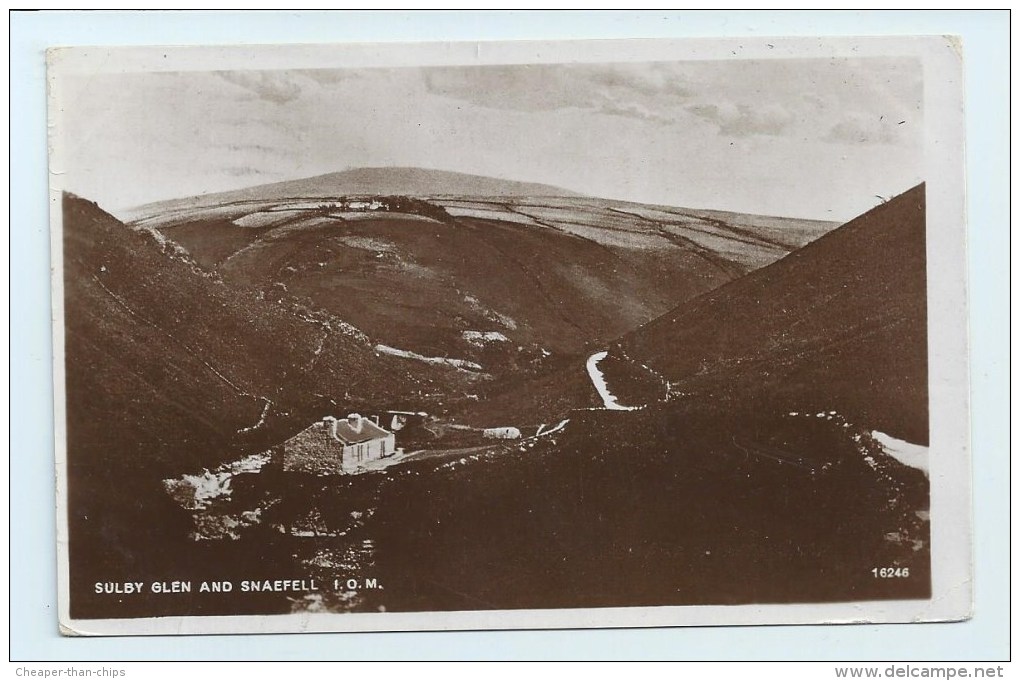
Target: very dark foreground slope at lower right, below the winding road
668 506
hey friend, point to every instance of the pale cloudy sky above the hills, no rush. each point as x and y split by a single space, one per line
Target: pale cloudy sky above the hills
802 138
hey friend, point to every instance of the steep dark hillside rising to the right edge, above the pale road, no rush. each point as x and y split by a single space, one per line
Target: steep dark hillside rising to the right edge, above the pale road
840 325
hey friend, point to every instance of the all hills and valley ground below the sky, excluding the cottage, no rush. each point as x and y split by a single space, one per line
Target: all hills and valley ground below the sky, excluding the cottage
600 403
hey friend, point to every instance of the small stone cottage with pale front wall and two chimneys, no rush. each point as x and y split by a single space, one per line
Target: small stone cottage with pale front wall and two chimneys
337 446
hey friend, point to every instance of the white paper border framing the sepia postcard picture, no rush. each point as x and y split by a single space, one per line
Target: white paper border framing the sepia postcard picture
951 472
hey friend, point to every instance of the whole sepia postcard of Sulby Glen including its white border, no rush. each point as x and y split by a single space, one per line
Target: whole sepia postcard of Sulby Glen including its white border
499 336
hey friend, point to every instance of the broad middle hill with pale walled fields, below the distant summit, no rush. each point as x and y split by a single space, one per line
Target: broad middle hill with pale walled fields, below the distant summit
428 276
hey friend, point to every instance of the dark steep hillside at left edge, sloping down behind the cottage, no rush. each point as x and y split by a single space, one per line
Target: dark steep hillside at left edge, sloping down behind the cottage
170 371
